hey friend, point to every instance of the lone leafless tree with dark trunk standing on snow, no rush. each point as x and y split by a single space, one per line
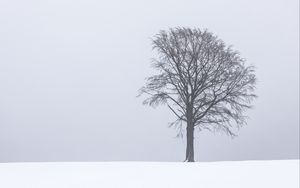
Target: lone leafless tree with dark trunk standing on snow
203 82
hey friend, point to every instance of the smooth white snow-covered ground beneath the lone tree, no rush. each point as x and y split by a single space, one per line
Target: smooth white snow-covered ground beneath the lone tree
240 174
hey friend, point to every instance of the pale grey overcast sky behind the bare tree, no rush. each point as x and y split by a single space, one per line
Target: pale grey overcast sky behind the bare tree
70 72
